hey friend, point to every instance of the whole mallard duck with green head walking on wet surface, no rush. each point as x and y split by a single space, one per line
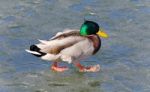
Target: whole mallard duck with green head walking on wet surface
71 46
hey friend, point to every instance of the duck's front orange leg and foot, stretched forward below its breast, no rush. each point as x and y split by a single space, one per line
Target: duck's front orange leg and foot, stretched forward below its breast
82 68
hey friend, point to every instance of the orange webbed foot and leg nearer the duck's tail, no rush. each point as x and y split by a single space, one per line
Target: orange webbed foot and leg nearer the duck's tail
57 68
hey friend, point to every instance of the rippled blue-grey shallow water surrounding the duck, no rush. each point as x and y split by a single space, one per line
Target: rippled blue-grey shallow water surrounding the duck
124 57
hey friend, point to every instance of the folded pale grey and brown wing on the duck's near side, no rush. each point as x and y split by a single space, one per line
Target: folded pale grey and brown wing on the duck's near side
60 42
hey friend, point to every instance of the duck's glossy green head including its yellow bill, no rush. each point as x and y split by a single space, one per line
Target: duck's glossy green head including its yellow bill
90 27
